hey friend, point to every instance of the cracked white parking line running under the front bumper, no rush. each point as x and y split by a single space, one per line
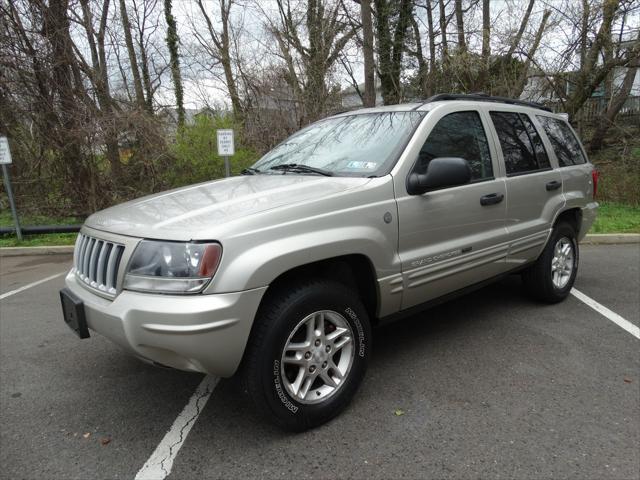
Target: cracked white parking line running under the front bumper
161 460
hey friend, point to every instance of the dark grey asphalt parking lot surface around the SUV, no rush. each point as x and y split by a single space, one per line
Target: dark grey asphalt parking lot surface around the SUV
490 385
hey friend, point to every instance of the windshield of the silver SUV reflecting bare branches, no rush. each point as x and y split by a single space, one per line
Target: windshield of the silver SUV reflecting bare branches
363 145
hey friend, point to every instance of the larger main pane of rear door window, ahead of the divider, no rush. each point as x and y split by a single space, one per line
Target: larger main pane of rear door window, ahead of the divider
517 150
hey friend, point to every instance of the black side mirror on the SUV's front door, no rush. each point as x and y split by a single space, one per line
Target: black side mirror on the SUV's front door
441 172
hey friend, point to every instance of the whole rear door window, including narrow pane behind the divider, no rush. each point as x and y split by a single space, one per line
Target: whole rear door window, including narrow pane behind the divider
521 152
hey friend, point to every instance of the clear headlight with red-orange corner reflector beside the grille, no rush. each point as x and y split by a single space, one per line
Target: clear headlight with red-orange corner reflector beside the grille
172 267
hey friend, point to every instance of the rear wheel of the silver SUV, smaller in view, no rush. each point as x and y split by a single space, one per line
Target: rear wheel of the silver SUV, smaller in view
551 278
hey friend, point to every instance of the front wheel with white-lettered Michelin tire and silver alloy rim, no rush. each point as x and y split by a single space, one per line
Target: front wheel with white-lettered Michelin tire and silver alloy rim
307 354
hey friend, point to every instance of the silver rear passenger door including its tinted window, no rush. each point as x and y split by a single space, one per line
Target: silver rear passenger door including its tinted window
534 187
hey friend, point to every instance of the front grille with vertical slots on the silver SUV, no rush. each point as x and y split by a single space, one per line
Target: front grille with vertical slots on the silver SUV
96 263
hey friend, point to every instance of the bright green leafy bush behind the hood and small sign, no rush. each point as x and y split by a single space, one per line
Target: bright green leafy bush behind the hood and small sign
195 152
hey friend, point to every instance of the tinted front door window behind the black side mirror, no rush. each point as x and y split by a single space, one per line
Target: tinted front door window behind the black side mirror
458 134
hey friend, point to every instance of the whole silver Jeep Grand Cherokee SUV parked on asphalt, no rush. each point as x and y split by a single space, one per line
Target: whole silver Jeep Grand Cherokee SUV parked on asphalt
357 219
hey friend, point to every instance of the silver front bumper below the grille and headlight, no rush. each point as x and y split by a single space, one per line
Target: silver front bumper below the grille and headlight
203 333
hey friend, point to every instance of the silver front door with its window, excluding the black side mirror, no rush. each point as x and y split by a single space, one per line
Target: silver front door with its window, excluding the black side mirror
453 237
